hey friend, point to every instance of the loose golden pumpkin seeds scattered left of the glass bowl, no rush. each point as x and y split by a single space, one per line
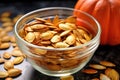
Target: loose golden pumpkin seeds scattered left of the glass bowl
8 59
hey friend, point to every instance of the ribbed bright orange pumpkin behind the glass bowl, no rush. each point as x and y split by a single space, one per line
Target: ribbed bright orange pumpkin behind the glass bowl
107 12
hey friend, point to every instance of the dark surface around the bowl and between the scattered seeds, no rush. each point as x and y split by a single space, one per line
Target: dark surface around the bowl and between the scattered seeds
108 53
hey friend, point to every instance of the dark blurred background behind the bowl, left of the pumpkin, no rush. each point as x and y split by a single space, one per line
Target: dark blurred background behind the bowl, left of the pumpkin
29 5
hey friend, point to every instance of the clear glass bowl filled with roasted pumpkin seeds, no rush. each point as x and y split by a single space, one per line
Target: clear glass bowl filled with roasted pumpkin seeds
59 61
